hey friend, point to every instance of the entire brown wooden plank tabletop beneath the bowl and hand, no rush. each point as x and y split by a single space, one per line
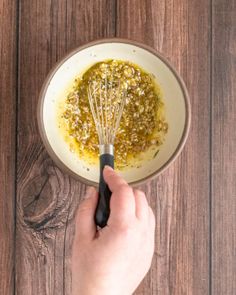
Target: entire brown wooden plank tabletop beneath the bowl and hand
194 200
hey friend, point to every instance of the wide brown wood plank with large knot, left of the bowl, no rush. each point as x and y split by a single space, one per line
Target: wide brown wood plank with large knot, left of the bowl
46 197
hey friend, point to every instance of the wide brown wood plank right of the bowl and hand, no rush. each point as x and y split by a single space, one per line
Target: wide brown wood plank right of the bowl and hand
180 197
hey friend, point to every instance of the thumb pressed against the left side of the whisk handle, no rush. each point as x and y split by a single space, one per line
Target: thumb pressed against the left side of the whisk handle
85 225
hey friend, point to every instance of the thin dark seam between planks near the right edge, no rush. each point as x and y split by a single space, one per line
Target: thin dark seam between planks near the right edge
210 147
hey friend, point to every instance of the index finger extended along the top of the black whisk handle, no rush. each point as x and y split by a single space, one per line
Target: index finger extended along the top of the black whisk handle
122 203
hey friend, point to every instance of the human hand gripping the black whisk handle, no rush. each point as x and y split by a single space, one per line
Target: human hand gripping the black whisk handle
113 260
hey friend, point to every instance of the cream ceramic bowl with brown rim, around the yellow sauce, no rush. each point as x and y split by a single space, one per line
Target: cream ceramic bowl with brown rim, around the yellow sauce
175 97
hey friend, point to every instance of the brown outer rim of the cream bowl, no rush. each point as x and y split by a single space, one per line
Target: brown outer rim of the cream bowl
54 69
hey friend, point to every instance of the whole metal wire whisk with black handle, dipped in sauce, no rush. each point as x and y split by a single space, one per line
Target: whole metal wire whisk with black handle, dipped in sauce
107 100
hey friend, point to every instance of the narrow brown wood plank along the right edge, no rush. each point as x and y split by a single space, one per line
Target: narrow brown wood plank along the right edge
223 146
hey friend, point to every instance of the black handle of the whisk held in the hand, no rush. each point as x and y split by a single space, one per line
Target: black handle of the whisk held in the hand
103 208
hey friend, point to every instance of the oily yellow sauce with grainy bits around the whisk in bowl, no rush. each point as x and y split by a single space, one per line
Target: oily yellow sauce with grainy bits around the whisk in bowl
142 126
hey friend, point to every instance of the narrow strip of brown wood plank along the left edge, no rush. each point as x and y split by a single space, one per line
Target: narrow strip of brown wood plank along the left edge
7 143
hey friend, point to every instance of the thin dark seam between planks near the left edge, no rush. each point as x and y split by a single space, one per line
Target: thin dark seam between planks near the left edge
16 133
